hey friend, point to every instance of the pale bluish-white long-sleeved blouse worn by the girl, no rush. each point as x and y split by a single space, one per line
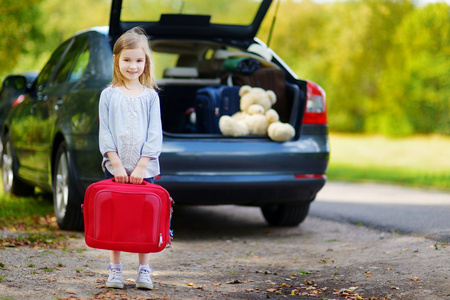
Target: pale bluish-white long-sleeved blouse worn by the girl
130 126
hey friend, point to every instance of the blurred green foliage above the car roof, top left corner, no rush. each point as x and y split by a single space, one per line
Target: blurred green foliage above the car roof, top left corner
32 29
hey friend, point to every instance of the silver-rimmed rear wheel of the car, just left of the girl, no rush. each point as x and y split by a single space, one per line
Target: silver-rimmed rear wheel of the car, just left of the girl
65 194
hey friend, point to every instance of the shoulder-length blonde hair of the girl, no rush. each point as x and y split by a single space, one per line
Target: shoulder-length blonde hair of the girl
132 39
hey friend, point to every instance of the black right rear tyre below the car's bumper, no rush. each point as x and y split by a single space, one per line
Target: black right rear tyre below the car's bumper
286 214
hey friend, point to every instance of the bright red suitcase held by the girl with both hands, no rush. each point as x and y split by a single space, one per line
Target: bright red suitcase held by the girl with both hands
127 217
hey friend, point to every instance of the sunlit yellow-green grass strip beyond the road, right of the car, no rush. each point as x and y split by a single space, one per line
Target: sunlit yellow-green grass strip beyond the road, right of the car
419 161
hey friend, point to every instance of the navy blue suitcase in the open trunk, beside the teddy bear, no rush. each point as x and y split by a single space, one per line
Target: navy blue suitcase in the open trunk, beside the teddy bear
211 103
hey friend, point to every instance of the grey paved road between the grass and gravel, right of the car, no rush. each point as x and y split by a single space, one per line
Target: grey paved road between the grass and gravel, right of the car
391 208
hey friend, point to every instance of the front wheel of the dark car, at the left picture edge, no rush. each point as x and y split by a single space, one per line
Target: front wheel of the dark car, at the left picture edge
12 184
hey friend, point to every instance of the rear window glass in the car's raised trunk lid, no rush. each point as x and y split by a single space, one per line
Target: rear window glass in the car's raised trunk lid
232 12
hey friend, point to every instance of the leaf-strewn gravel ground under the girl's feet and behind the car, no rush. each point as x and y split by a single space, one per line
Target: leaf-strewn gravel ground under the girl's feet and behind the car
229 253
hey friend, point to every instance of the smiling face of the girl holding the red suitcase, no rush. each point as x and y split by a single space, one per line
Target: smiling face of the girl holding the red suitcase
131 64
